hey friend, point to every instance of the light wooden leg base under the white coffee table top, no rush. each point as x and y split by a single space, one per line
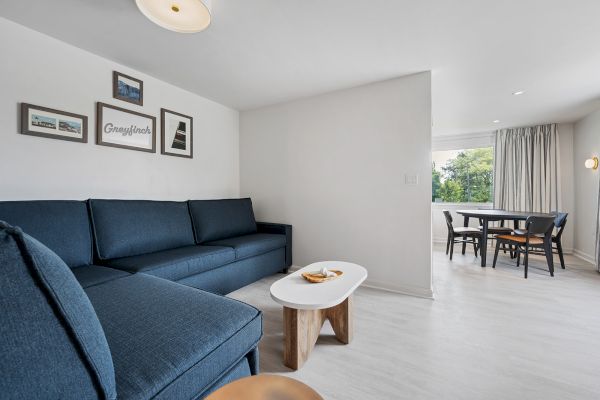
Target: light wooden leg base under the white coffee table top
301 329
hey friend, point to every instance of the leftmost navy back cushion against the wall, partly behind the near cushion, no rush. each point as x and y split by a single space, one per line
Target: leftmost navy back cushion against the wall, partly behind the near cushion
61 225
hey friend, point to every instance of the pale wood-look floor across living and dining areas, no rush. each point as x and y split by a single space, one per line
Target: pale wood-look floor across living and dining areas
489 334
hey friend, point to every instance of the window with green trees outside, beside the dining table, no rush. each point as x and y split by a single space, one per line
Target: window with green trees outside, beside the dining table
463 176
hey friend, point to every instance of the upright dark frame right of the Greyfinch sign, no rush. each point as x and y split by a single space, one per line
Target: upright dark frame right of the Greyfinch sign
177 134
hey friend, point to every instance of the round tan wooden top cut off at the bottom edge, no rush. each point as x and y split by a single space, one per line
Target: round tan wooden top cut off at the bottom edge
265 387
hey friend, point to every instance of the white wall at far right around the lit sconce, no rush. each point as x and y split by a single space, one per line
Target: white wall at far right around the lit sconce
586 145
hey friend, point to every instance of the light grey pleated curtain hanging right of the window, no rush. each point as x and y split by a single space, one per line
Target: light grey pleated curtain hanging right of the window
527 168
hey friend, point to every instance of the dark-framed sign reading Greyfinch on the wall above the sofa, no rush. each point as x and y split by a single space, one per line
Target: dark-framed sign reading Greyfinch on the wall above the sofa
125 129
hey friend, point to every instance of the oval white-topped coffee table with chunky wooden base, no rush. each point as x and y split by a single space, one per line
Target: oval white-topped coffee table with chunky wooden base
307 305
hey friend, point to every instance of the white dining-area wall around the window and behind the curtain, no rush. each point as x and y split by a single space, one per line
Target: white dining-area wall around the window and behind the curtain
565 131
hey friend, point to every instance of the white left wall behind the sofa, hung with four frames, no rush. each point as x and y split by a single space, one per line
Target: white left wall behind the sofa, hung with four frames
43 71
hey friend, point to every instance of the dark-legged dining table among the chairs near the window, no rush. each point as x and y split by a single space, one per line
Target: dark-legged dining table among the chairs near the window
485 216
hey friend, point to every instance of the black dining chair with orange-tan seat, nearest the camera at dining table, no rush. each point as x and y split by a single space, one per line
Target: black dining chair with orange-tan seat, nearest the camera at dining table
537 235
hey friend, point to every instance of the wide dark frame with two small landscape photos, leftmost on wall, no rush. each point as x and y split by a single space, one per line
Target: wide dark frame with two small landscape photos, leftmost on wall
54 124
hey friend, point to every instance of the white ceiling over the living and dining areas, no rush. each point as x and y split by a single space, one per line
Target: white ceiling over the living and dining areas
260 52
